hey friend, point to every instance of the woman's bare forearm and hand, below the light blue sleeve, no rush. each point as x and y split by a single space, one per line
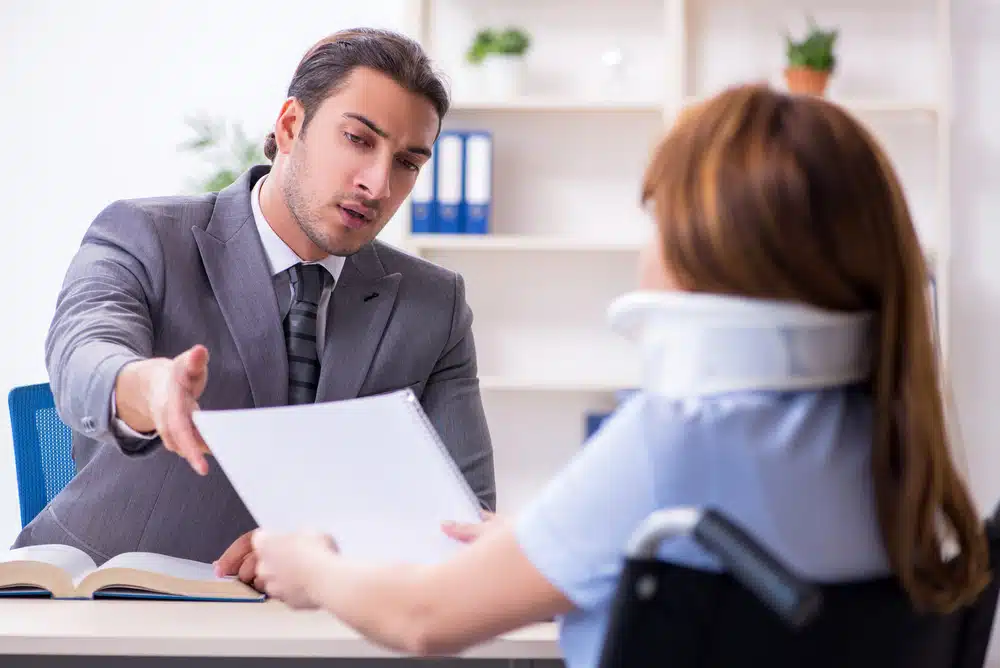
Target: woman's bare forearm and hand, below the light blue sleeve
488 589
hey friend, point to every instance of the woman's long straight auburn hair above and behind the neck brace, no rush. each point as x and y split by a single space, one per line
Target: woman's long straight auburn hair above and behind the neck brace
762 194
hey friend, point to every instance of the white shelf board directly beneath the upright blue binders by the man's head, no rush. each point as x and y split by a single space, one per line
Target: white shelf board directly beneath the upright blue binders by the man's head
521 242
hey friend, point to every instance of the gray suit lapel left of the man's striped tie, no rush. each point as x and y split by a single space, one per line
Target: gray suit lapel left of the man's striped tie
239 274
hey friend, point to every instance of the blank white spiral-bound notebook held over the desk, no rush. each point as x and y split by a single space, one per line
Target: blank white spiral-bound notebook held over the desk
371 472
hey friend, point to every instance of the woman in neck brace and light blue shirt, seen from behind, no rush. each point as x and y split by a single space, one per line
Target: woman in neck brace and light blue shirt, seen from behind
790 381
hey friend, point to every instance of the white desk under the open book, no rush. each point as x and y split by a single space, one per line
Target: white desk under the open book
215 630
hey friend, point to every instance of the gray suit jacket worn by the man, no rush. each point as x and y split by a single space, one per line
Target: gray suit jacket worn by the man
154 277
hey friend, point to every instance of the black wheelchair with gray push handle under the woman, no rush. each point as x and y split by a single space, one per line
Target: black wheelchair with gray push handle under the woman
757 613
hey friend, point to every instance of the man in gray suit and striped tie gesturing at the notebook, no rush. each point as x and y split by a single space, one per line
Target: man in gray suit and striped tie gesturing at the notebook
273 291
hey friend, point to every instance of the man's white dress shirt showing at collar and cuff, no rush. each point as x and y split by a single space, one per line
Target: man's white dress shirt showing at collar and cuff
280 258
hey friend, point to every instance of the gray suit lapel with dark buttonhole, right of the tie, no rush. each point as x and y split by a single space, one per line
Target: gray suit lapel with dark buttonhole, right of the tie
360 306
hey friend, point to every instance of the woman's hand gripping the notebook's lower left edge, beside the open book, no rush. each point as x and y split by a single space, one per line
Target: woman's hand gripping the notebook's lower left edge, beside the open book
288 563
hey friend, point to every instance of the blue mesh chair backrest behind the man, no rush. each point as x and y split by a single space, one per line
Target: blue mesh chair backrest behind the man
42 448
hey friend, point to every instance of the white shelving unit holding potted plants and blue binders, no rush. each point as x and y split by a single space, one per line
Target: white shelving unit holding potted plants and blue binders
566 224
